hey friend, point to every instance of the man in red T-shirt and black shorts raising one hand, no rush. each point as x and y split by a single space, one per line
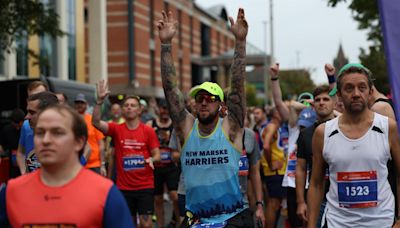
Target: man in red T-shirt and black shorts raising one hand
136 147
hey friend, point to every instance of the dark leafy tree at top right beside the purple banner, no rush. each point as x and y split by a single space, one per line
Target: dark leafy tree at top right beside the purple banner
367 15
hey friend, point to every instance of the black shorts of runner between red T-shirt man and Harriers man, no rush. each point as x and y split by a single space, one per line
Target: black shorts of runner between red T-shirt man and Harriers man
168 175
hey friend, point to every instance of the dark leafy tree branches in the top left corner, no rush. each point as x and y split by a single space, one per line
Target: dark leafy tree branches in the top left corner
21 19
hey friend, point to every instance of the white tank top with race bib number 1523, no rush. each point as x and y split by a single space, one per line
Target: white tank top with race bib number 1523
359 193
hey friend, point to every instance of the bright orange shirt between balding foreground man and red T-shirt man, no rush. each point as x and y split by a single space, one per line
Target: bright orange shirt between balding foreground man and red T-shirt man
94 136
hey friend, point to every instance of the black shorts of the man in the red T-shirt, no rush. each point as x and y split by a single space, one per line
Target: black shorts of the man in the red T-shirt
140 201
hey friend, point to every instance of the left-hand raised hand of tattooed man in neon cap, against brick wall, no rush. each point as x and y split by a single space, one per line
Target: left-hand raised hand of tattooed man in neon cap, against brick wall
166 27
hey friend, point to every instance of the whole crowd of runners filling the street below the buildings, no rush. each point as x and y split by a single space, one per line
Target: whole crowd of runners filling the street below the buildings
326 158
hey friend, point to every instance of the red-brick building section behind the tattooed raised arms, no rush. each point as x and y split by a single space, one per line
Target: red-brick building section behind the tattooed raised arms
200 33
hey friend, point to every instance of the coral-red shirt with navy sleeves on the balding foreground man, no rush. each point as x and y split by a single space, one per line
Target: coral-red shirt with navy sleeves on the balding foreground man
89 200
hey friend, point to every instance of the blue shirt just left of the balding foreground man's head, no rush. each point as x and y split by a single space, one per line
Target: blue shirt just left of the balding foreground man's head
26 141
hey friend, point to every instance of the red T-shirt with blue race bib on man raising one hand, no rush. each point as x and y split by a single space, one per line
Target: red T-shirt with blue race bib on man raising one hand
132 148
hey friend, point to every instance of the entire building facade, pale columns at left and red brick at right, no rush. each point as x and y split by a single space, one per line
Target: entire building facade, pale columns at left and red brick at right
117 40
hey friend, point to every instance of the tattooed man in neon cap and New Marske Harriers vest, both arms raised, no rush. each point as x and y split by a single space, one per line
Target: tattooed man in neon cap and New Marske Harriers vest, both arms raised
210 147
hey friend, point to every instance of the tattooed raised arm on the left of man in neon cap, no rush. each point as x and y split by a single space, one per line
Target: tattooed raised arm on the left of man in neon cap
182 120
